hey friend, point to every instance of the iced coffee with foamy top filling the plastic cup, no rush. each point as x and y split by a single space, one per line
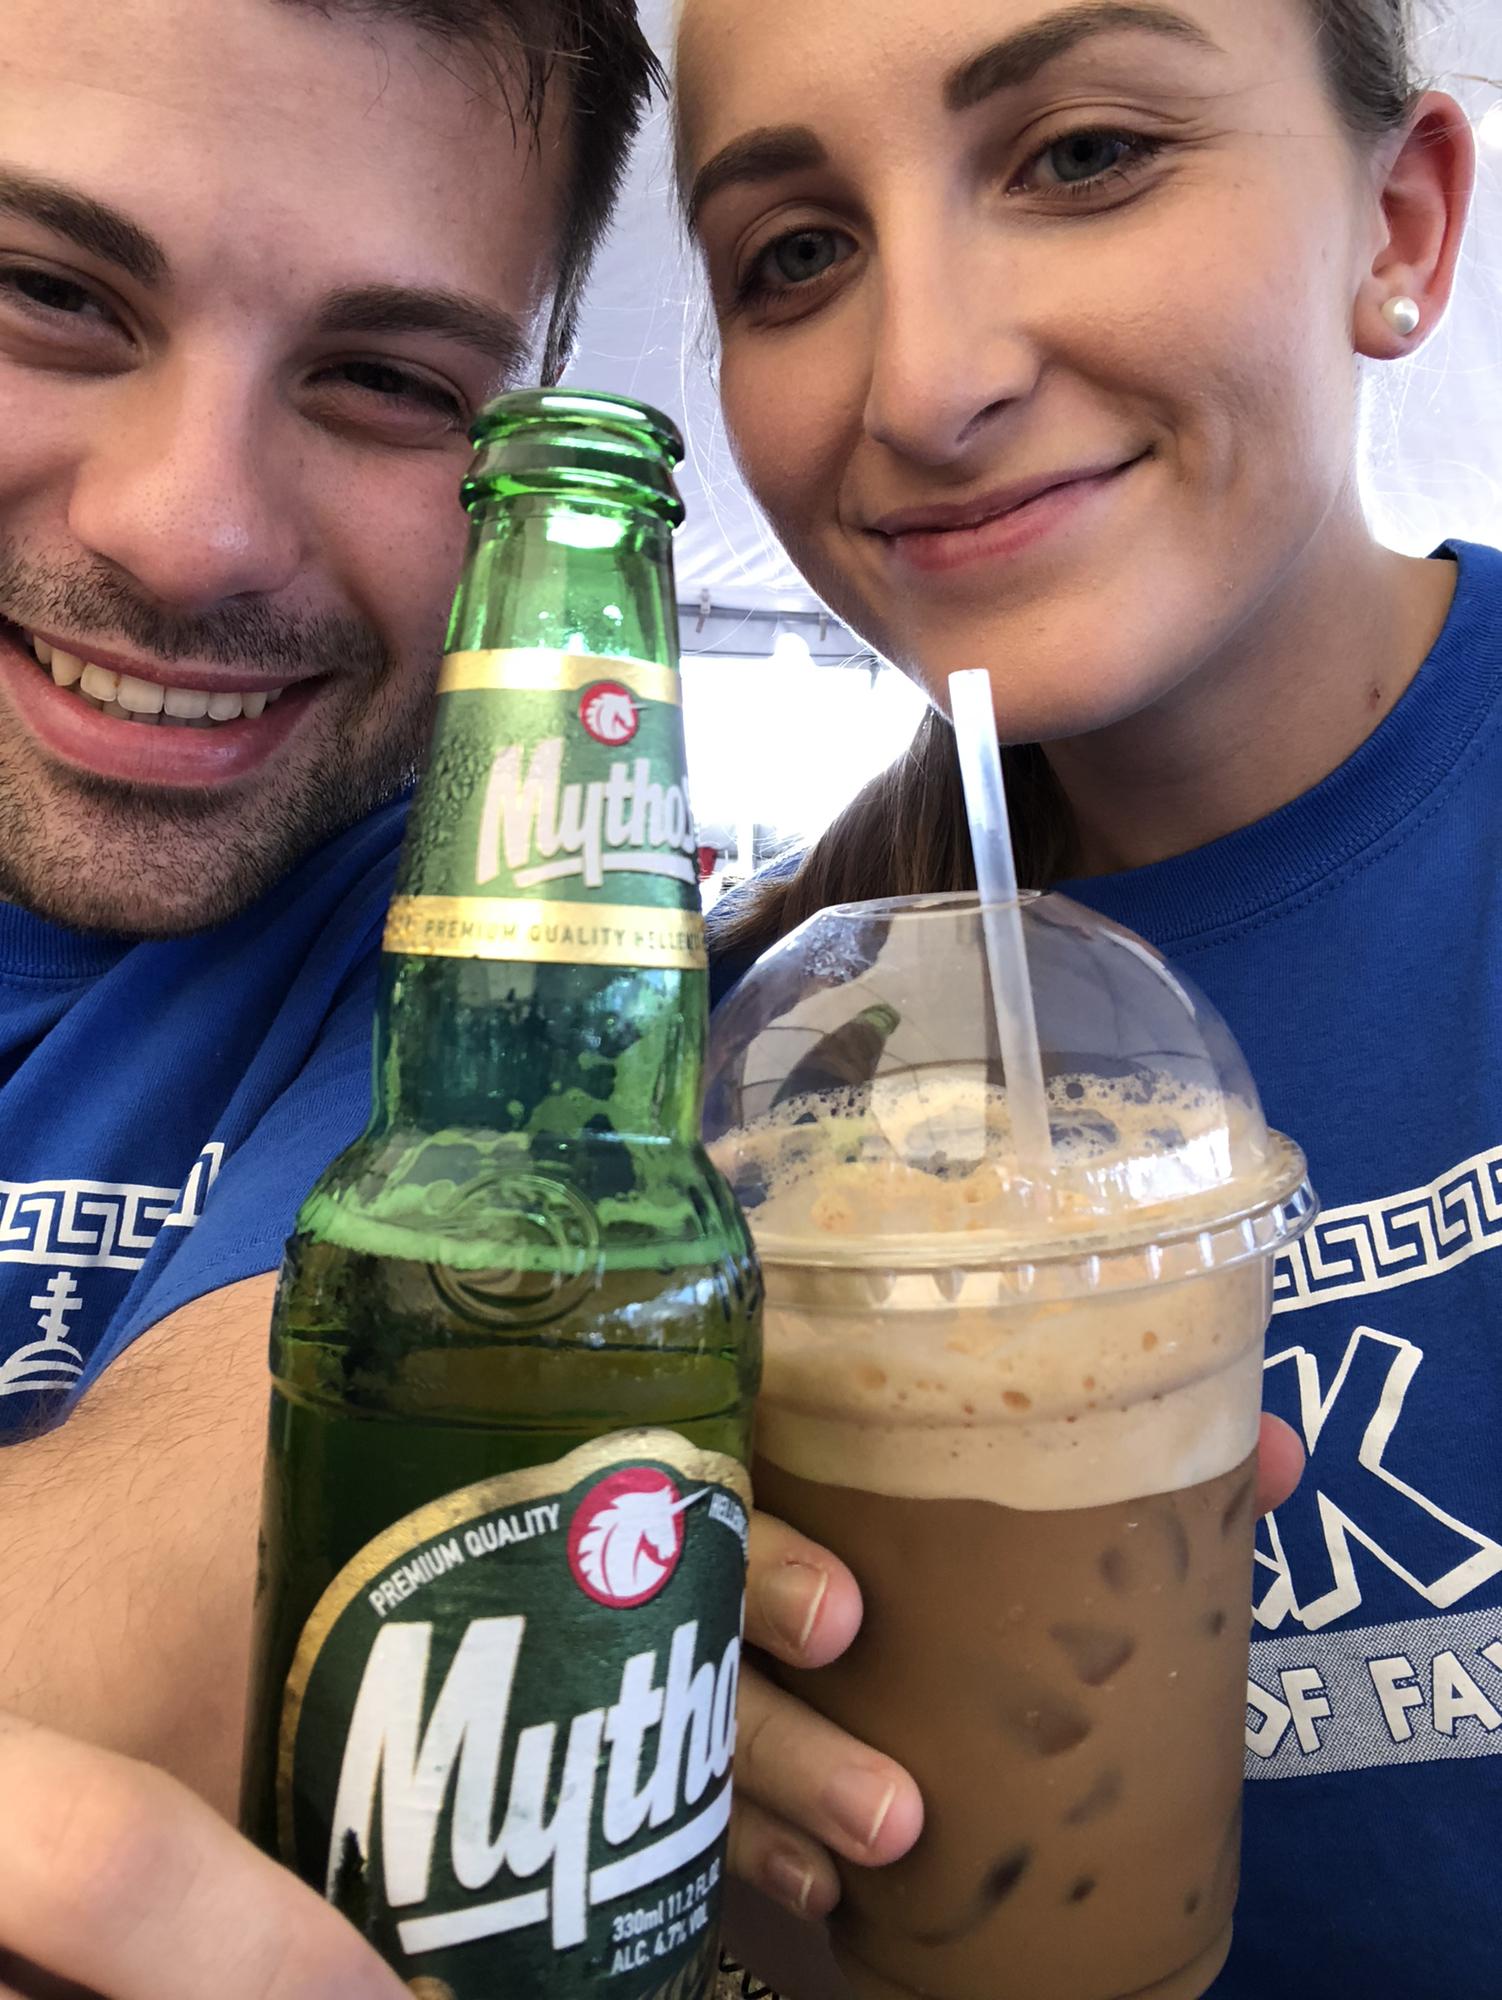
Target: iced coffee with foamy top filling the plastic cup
1041 1471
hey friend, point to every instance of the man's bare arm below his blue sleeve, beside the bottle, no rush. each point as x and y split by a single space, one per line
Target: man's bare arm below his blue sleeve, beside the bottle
131 1547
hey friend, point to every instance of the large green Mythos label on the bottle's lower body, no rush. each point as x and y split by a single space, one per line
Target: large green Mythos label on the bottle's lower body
509 1729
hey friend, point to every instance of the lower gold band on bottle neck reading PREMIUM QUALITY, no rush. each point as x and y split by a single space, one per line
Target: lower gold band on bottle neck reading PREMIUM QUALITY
547 933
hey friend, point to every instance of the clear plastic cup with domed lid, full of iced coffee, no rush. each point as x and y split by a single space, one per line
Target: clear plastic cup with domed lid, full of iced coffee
1027 1417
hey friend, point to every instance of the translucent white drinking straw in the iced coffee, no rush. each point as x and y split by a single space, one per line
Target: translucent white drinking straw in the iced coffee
1007 953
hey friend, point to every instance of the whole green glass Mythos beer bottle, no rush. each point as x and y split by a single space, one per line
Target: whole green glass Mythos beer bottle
517 1339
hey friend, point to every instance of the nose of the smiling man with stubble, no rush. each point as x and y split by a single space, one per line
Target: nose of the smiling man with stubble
191 491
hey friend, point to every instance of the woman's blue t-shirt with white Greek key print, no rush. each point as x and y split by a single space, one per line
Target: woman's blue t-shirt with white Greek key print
1355 945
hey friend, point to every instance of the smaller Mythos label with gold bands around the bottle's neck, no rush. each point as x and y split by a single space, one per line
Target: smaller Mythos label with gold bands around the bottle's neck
555 819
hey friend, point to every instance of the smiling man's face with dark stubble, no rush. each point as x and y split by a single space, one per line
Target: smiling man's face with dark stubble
259 269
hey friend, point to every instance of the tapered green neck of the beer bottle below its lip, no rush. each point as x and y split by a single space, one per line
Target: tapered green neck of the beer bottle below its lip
543 969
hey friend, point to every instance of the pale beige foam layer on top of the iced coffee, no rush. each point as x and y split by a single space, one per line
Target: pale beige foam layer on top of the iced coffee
907 1387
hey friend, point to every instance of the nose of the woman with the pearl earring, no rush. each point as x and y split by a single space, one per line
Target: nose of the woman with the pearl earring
951 357
